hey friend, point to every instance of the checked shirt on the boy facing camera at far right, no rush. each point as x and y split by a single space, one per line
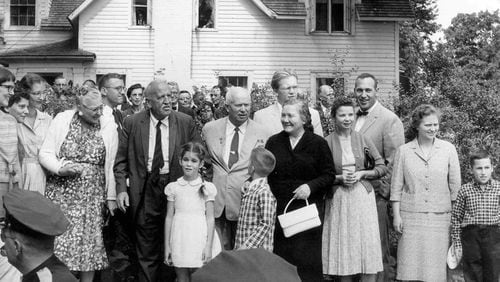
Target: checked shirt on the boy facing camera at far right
475 206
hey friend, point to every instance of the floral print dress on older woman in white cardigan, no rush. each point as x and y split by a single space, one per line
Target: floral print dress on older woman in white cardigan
82 199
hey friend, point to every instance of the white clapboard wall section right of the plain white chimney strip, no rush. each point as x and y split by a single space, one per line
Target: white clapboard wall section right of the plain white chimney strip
247 40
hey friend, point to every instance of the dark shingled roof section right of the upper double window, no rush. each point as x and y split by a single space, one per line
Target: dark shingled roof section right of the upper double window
385 10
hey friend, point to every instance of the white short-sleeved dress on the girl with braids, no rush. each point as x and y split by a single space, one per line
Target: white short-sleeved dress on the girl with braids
189 226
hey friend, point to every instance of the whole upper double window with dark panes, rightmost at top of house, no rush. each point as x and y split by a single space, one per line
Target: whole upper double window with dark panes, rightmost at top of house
331 16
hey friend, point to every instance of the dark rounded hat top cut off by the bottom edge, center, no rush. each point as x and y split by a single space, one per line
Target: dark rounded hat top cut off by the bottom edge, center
247 265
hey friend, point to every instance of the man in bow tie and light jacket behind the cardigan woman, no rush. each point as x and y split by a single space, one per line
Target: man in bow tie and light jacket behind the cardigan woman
386 131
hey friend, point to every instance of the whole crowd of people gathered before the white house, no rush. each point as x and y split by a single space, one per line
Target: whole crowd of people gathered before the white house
153 182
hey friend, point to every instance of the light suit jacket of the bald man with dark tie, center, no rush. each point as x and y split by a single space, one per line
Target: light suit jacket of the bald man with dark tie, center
230 180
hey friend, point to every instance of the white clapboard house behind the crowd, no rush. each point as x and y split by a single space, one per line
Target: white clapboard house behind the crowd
200 41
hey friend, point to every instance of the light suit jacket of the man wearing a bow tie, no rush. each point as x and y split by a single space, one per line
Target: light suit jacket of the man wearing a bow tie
386 131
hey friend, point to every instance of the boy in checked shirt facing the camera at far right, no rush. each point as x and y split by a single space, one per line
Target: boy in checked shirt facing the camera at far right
476 222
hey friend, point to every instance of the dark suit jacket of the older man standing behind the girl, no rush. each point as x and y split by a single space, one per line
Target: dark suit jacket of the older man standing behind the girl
132 156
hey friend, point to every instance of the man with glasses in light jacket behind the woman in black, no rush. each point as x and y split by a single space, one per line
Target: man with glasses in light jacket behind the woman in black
284 84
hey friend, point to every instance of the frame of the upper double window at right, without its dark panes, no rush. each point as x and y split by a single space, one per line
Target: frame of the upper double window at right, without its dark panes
348 14
